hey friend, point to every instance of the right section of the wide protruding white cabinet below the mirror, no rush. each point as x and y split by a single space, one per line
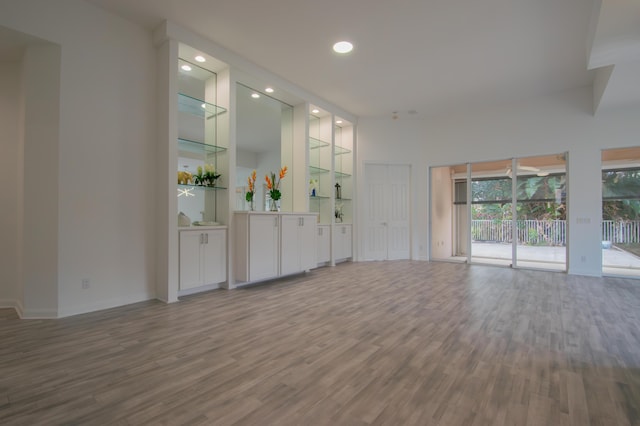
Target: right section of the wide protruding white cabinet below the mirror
297 243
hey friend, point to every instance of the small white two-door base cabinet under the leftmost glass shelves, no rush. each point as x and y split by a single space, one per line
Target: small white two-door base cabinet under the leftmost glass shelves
203 257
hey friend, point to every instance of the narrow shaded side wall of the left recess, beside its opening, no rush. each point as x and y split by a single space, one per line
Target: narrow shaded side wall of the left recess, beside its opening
40 214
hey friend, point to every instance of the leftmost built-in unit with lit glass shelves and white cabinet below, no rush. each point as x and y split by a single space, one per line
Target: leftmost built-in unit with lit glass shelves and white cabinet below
202 180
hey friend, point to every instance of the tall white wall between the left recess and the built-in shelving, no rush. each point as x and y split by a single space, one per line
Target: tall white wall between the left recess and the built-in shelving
106 152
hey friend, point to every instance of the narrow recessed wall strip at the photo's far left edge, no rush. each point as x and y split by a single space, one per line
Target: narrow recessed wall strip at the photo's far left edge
10 176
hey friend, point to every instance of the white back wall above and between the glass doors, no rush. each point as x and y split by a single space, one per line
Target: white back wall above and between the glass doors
544 125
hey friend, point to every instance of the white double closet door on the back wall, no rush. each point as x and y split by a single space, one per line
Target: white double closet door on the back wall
386 227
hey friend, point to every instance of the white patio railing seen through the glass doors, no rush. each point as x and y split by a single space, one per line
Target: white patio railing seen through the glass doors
549 232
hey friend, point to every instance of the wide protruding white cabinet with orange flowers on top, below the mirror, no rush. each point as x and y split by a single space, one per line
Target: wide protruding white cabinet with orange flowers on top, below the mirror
272 244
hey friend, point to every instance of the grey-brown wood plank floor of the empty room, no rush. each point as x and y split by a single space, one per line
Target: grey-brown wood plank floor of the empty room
383 343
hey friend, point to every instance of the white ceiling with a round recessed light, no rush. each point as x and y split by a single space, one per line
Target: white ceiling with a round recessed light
426 56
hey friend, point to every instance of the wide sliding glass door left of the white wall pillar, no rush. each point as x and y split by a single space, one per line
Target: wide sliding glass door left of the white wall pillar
508 212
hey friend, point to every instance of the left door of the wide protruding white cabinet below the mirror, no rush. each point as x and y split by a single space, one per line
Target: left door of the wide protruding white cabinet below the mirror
263 246
